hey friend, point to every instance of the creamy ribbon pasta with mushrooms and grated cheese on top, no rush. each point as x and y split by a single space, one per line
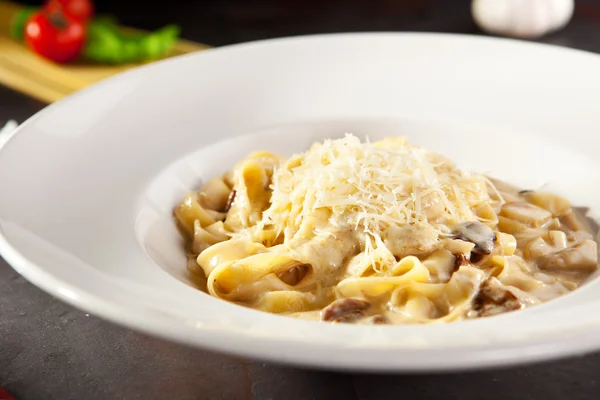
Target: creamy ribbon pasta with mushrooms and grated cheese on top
380 233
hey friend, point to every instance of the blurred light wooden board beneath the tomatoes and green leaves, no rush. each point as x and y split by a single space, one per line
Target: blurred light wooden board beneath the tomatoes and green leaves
28 73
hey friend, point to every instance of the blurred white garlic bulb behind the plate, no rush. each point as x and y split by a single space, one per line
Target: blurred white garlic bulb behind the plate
526 19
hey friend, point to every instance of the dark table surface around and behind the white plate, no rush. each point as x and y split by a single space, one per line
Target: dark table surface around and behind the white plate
49 350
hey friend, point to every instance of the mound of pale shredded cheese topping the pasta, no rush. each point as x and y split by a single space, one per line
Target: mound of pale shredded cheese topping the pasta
372 187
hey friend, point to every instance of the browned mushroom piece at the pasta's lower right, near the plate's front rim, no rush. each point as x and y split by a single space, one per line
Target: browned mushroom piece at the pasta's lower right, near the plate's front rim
493 298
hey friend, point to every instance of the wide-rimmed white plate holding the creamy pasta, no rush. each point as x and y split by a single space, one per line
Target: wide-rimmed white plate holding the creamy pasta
87 185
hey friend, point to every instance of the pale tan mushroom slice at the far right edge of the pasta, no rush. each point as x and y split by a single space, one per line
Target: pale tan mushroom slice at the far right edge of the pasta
581 257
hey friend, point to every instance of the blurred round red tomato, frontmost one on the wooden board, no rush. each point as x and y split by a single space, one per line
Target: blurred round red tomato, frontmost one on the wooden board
55 36
